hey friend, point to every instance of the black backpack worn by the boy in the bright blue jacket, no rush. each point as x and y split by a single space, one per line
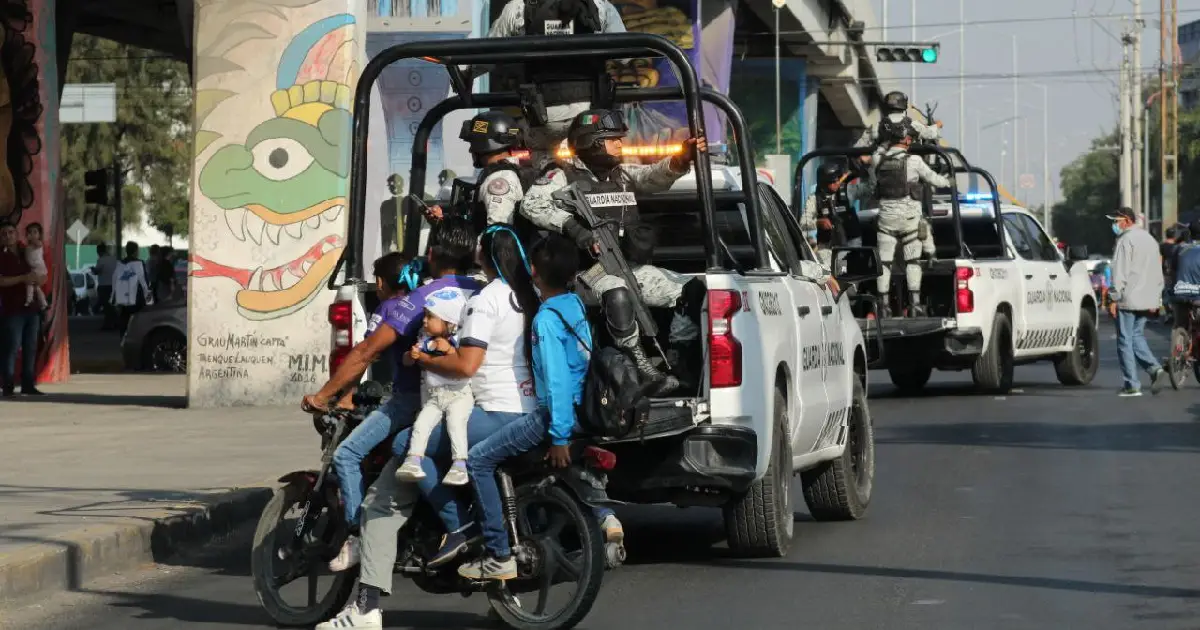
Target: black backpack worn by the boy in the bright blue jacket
614 405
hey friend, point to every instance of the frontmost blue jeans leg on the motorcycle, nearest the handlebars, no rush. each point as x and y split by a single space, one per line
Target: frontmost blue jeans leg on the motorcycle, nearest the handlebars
395 415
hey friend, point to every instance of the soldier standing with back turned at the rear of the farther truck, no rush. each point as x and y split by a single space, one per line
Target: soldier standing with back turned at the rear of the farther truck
898 183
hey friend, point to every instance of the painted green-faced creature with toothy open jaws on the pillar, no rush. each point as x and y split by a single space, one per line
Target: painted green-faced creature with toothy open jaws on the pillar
283 189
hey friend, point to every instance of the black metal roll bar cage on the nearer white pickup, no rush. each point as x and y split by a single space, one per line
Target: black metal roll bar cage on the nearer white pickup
454 53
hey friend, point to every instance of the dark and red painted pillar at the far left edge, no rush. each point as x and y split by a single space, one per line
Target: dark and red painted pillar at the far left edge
29 172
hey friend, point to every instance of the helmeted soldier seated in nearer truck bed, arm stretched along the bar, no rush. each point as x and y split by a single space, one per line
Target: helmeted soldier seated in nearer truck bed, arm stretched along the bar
596 141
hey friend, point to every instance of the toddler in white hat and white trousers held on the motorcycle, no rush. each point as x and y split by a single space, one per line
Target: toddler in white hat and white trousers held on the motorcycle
447 397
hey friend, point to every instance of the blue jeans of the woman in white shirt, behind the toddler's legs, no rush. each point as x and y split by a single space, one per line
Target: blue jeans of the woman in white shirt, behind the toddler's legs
481 427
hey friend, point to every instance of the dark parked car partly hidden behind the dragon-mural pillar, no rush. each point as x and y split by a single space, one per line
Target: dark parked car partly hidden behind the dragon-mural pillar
157 340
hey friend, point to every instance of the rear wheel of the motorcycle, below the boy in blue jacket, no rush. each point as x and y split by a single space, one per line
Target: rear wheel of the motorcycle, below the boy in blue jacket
561 543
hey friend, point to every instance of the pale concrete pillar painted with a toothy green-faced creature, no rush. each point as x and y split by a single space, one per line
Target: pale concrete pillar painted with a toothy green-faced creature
274 86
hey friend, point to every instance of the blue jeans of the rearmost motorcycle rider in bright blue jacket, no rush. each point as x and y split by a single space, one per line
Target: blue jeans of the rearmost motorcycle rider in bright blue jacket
485 458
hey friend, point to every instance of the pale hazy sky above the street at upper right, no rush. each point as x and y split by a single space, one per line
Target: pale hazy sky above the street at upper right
1076 59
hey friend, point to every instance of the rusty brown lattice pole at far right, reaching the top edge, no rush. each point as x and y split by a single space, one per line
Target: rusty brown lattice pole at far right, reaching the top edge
1169 110
